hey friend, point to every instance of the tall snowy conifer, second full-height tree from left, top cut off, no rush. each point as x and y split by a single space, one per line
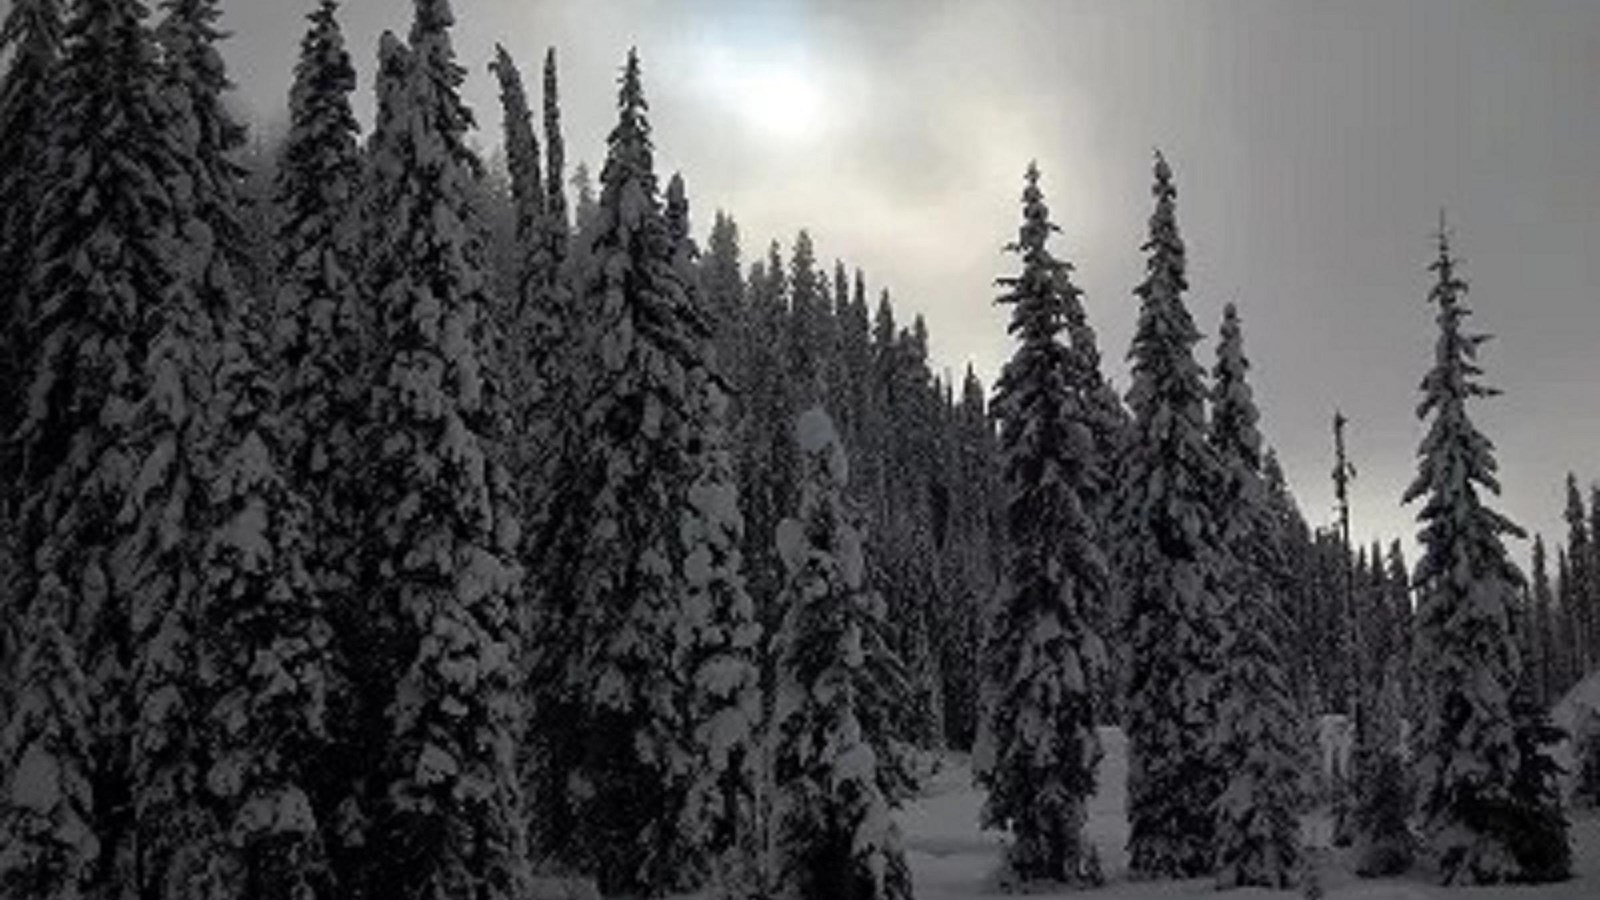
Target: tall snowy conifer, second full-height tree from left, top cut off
206 400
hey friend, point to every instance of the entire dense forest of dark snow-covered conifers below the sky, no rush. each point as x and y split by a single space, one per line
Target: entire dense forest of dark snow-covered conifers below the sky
385 521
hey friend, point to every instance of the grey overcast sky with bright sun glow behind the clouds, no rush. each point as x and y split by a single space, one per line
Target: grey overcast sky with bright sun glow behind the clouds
1314 147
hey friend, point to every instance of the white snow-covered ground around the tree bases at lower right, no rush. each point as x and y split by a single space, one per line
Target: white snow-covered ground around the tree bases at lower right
953 859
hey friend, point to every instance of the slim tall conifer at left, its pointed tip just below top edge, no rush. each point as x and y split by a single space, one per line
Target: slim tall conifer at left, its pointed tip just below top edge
324 344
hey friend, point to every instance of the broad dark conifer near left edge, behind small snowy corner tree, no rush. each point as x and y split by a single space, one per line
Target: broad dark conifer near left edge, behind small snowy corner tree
113 388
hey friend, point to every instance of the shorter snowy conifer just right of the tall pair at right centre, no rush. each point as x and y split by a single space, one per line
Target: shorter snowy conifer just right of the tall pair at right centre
1257 822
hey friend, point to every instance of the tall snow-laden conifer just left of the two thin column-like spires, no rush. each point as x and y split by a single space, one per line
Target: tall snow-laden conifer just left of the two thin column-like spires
442 573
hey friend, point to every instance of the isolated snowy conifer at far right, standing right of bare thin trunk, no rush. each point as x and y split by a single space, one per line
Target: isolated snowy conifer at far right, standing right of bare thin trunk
1468 760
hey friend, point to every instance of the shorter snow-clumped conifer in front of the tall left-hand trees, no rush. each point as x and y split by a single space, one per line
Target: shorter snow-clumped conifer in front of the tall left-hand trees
266 646
